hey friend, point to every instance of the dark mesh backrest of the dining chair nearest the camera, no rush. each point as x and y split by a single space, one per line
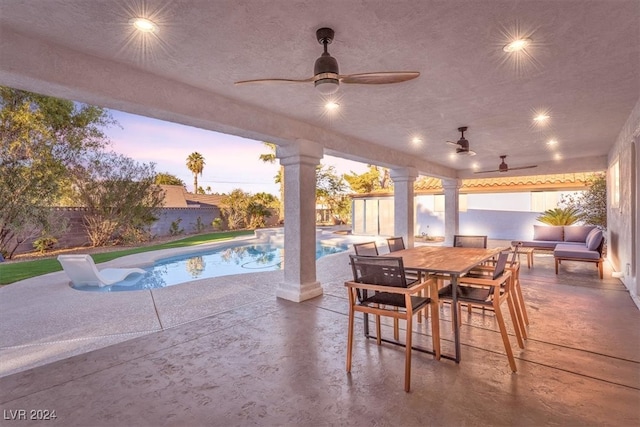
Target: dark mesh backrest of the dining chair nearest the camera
378 270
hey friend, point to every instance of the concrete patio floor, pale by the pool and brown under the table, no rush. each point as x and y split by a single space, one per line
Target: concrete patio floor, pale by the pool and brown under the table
225 351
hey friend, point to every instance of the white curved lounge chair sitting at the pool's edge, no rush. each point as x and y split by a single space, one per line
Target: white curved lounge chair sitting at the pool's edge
82 271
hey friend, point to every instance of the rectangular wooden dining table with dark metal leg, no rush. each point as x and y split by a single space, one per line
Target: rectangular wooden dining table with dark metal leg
452 262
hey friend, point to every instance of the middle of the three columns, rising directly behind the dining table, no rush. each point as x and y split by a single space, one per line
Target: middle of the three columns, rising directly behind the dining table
403 203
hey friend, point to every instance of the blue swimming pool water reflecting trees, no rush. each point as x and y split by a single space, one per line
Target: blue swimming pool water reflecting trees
212 263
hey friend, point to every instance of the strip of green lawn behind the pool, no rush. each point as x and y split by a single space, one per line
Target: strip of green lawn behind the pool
15 271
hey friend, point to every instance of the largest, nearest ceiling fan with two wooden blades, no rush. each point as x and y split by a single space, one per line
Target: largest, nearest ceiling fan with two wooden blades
327 77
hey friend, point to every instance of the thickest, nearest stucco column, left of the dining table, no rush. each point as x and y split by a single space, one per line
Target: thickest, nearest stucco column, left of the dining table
299 161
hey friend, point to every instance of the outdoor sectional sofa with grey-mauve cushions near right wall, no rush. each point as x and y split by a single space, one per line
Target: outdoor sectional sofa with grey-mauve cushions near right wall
569 243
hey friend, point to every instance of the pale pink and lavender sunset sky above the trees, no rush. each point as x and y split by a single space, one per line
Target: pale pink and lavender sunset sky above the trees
230 161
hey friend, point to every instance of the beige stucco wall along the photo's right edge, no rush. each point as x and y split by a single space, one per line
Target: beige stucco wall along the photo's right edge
623 220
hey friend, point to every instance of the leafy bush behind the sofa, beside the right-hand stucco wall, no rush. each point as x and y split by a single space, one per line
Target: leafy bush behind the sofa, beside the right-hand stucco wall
592 203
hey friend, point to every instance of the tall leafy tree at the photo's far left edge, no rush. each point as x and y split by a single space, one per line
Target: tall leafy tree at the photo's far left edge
39 136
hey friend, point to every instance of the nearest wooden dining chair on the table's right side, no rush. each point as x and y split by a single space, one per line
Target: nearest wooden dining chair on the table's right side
490 291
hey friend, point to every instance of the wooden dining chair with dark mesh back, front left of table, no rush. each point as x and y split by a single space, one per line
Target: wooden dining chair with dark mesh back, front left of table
380 288
